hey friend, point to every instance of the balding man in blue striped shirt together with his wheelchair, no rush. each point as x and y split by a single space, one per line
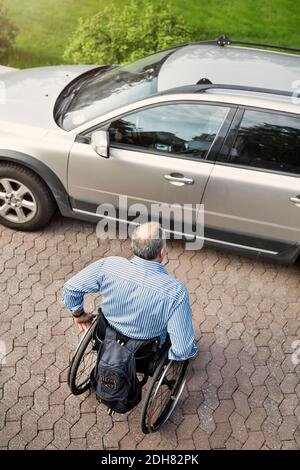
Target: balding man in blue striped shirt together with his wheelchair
141 303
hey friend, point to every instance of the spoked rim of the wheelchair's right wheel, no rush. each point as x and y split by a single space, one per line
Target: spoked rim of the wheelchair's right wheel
165 395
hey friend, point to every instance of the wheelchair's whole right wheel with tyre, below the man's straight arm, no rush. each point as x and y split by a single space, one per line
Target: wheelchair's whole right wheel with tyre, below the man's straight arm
164 391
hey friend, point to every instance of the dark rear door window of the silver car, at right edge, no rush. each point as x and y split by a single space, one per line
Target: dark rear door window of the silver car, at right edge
268 140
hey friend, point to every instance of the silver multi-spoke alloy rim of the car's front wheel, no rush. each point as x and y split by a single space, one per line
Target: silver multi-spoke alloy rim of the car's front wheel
17 203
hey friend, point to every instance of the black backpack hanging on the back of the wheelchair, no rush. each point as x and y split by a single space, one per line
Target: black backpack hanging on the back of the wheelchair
114 376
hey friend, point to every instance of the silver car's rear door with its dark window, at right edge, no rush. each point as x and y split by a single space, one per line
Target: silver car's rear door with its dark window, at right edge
253 195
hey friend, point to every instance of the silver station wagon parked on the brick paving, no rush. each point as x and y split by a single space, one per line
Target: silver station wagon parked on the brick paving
206 123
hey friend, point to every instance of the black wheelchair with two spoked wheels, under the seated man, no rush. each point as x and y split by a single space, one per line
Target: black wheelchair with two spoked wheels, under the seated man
167 377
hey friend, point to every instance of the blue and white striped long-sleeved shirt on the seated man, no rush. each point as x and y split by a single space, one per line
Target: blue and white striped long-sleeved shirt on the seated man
139 299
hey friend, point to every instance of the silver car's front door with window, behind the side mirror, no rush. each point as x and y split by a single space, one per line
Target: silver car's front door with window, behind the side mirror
161 154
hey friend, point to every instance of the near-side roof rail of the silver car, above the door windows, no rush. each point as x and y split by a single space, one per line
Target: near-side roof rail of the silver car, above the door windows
200 88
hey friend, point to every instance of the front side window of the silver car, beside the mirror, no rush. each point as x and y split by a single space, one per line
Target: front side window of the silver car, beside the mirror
180 129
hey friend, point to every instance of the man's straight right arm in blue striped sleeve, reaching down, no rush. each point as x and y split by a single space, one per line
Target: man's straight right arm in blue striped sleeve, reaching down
181 331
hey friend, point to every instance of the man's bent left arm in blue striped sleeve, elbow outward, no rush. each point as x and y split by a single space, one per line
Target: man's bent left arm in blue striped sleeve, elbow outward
86 281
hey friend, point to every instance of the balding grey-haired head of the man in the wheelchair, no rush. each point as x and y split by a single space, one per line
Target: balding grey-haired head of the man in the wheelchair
148 241
